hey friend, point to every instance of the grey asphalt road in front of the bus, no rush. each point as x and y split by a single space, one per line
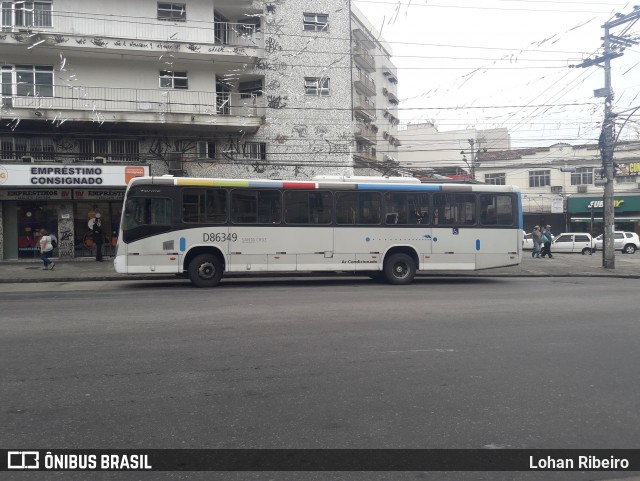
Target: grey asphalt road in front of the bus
346 363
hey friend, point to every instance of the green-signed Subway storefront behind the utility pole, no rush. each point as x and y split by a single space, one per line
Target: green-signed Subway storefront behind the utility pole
585 213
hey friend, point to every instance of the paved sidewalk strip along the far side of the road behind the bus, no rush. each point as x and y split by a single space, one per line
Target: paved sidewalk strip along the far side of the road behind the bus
562 265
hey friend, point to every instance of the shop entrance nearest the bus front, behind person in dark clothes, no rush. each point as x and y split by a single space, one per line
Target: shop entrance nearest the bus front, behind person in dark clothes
85 215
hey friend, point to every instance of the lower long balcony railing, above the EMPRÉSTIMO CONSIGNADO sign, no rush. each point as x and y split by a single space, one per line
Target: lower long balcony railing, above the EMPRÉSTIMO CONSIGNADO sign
106 99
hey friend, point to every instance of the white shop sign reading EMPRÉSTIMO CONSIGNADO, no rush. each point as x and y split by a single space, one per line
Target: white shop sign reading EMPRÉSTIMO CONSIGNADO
16 175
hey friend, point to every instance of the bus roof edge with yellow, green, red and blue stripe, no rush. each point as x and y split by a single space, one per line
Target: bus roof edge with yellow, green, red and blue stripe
347 183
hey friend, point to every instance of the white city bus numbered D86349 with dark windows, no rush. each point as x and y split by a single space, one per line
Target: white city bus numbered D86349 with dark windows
386 228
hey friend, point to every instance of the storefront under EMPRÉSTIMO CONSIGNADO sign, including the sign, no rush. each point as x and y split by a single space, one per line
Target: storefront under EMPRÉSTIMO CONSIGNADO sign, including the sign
63 199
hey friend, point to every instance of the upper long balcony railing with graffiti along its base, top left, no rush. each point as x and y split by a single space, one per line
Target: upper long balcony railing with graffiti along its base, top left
112 31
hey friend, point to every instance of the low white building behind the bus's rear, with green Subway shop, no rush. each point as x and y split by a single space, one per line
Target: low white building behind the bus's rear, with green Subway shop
562 185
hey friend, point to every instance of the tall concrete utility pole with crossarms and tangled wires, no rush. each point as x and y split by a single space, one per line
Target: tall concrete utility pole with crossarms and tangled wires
613 47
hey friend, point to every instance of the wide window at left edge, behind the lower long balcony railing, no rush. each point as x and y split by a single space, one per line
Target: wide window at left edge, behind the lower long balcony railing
27 80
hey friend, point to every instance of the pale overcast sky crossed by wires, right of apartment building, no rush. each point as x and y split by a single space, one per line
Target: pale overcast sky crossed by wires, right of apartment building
505 63
